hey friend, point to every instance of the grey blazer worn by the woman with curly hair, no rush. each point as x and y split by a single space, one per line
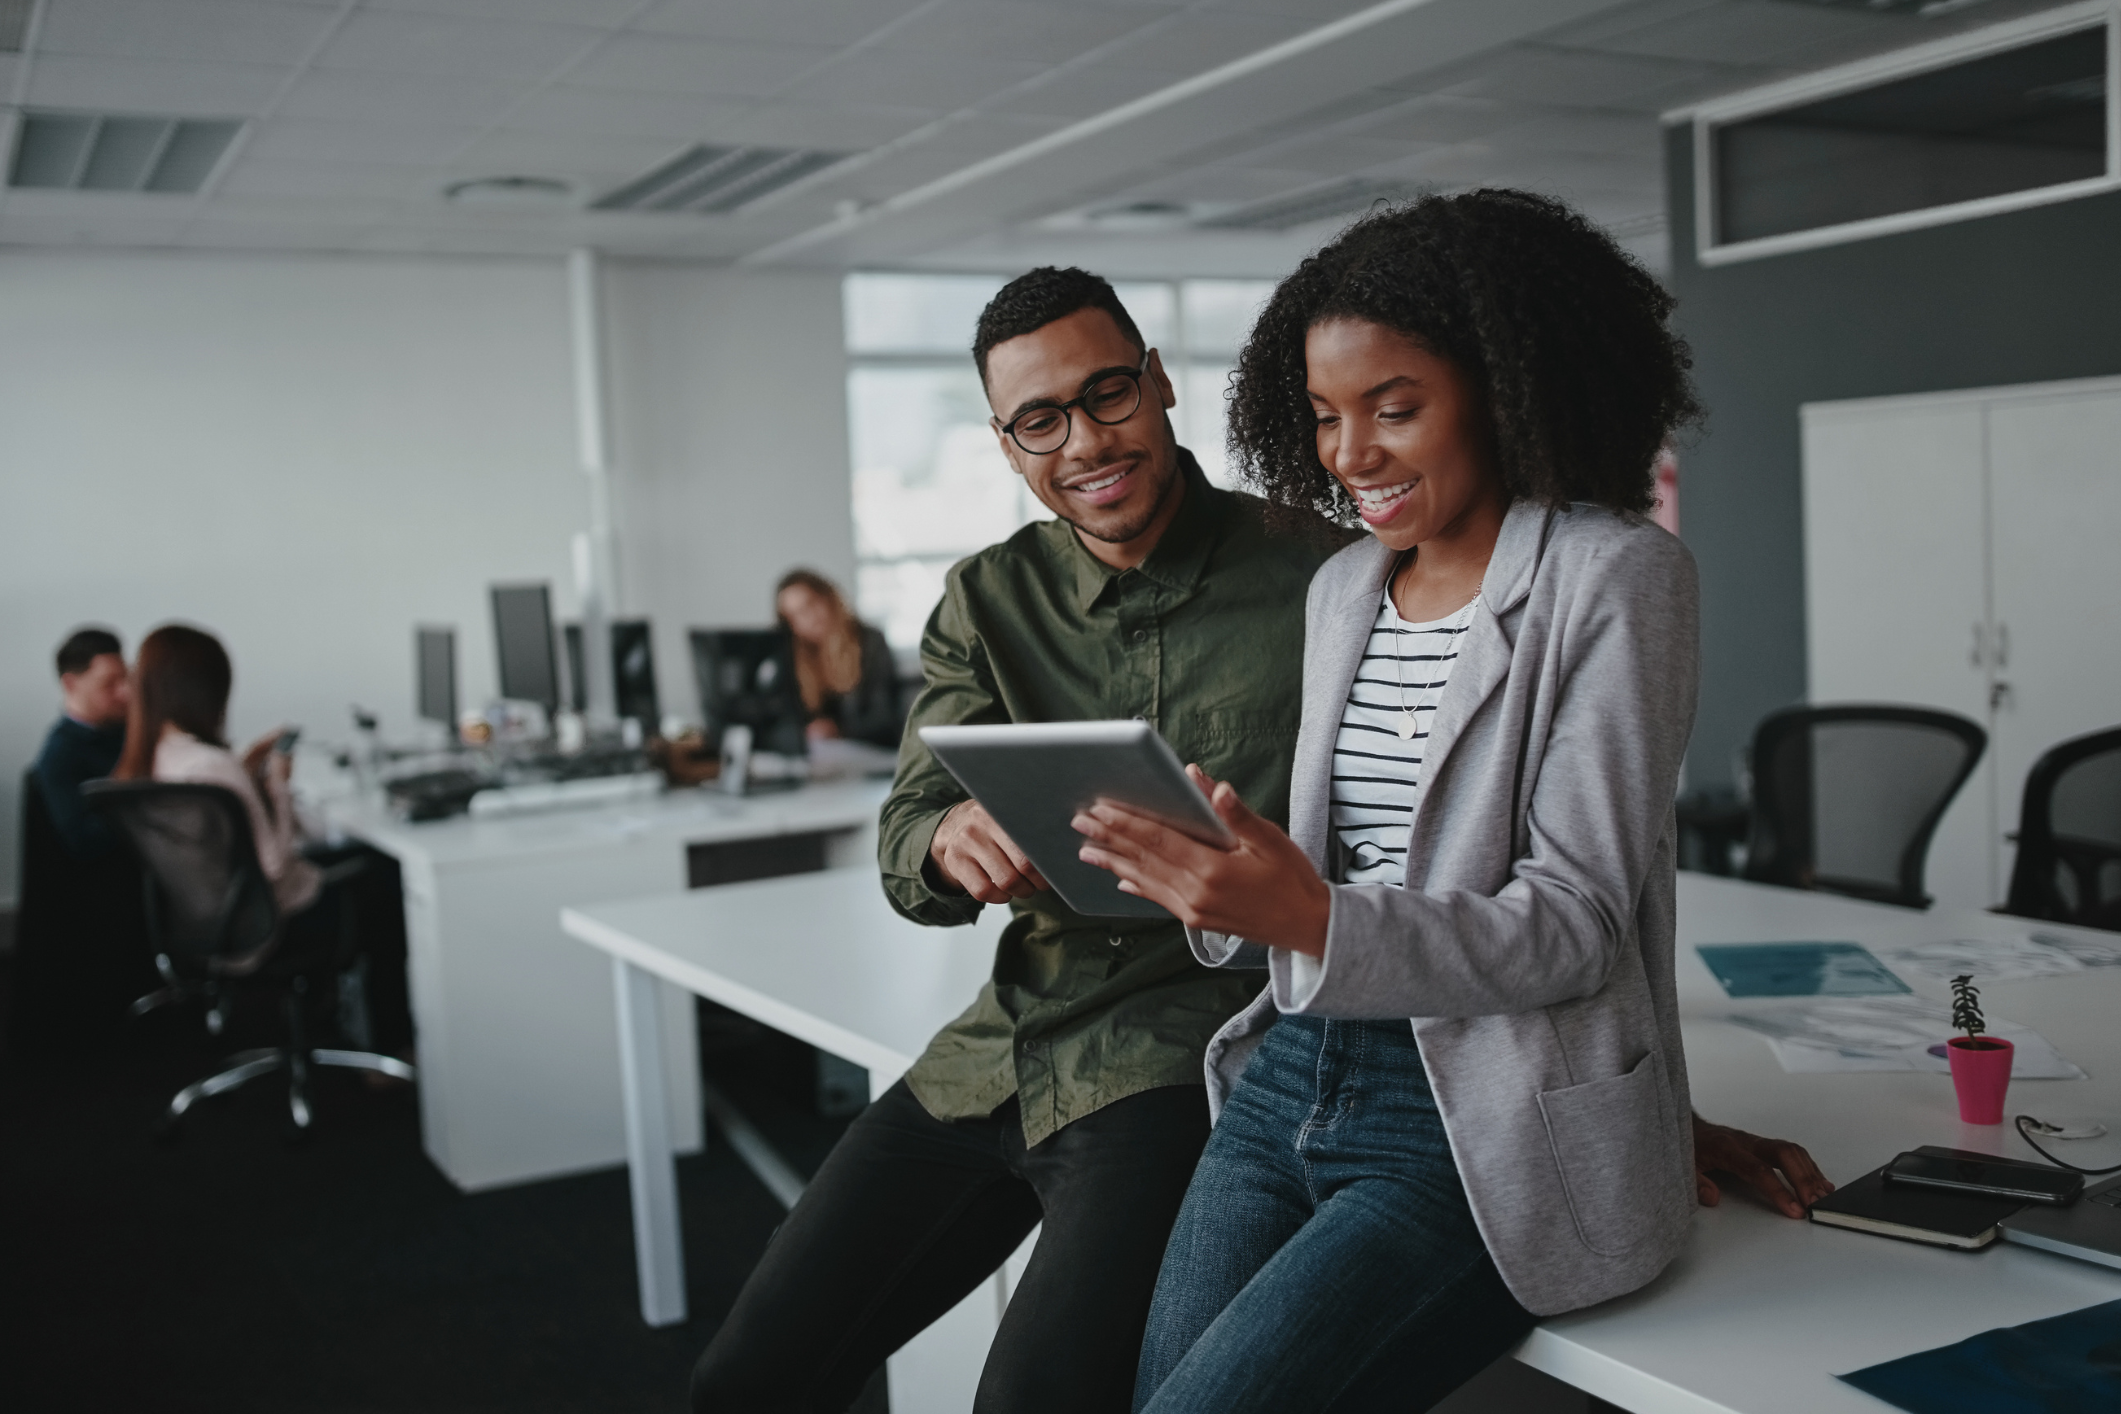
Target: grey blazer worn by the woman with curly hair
1532 944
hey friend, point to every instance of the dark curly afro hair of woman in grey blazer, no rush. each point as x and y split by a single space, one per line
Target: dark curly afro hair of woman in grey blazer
1560 334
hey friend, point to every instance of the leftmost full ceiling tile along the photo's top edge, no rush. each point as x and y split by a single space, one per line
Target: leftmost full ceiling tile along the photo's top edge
183 31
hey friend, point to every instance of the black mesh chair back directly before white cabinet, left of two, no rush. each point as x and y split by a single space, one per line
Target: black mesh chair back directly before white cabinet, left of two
1846 798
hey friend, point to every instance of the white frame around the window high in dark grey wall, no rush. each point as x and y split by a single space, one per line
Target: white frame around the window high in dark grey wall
1708 118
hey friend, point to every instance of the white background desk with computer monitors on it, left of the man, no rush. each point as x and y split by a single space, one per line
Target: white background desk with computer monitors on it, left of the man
516 1023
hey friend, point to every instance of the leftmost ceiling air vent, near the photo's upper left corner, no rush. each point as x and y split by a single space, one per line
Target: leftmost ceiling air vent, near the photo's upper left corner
86 152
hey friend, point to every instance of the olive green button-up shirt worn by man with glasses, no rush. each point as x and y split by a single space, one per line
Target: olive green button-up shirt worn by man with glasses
1204 639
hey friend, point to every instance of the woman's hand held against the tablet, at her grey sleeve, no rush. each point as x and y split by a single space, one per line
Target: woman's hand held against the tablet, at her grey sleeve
1261 889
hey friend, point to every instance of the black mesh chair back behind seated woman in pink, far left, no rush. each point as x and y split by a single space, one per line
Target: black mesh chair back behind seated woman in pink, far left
211 906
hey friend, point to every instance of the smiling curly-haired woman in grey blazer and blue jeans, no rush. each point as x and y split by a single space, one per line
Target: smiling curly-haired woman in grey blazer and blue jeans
1460 1101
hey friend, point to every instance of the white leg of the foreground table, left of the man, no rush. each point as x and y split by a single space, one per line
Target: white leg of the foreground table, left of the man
650 1159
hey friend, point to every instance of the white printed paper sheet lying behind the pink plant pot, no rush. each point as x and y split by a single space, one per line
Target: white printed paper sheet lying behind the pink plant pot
1889 1033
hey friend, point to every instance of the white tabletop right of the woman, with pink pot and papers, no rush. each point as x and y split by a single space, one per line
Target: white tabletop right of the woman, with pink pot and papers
1761 1313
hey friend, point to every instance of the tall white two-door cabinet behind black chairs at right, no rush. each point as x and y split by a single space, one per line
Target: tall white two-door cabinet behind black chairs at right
1963 550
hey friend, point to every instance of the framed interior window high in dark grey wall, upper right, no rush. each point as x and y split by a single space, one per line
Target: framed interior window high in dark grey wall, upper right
1999 120
